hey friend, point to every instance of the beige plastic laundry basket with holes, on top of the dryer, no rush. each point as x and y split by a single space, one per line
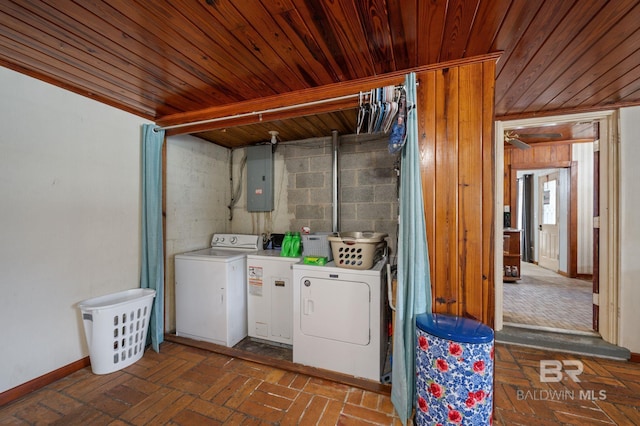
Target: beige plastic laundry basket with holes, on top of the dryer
358 250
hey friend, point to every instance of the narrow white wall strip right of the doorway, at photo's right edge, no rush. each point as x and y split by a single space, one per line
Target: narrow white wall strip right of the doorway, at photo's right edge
629 228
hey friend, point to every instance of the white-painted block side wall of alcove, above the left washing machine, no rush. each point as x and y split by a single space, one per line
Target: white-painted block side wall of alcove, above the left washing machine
198 194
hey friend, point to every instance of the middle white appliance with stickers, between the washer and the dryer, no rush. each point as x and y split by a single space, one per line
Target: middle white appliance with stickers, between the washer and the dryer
270 296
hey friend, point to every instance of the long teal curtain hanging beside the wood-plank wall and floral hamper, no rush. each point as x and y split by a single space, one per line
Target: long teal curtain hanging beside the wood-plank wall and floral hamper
413 295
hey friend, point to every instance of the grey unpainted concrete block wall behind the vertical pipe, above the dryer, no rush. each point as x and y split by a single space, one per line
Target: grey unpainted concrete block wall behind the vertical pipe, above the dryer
368 185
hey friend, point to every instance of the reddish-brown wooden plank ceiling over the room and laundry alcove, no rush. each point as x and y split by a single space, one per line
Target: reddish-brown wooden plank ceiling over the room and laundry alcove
174 61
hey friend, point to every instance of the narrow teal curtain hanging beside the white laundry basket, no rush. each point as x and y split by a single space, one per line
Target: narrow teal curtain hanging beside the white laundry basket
152 270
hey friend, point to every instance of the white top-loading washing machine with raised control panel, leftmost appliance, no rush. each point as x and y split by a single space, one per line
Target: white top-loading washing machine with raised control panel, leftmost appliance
211 297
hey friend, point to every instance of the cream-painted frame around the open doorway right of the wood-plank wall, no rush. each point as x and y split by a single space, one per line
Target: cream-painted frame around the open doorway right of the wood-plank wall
609 265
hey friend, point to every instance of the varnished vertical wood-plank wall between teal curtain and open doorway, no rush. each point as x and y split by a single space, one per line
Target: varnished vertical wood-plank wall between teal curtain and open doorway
456 111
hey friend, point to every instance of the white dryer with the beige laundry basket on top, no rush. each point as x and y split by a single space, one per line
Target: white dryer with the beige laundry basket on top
340 319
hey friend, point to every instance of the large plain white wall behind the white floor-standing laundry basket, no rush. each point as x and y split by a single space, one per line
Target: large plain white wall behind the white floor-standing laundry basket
69 219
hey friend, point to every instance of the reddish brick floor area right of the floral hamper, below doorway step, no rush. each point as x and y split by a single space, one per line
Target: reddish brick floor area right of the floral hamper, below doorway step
608 392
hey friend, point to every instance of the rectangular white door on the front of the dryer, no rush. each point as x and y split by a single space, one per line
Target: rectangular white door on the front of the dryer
336 310
